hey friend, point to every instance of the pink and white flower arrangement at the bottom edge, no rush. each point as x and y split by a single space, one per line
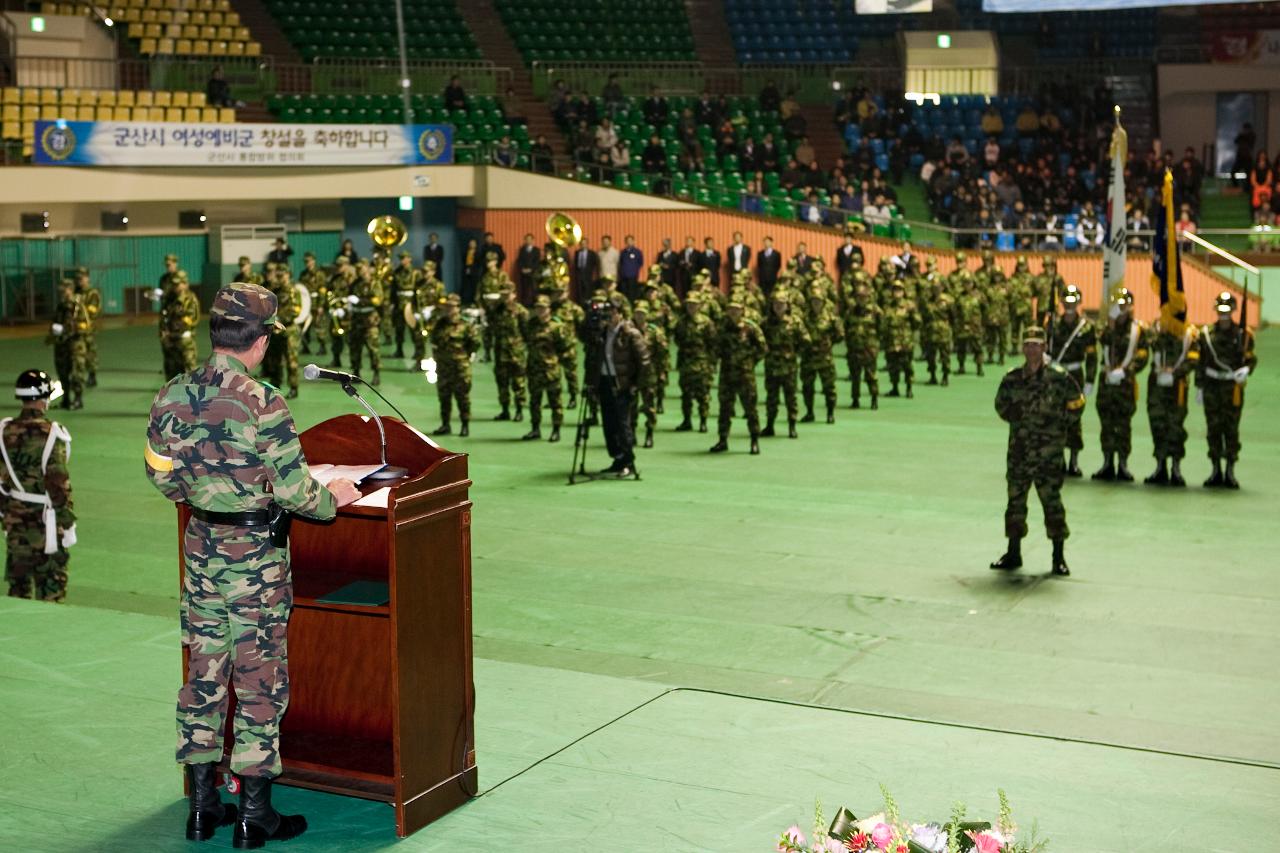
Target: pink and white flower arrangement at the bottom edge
888 833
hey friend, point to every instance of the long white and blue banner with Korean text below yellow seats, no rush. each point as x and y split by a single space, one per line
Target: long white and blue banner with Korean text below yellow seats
177 144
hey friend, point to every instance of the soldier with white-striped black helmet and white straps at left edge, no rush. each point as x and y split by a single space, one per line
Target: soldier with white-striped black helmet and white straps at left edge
36 494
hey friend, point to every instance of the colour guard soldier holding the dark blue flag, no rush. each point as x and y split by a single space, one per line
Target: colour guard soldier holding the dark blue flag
1173 359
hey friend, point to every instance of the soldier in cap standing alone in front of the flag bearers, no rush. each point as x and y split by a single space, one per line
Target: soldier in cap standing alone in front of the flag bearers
1036 400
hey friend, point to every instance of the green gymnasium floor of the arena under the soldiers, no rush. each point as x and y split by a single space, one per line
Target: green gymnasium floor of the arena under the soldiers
689 662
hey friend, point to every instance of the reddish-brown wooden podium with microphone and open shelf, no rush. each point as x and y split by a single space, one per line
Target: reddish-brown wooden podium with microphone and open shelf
382 699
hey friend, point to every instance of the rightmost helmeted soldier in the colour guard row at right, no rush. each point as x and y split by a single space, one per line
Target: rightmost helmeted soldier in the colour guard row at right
1226 363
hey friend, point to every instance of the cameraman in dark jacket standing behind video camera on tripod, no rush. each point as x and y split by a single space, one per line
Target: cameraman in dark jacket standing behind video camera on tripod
624 361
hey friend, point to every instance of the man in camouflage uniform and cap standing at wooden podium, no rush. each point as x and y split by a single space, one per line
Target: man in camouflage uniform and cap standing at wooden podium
226 445
